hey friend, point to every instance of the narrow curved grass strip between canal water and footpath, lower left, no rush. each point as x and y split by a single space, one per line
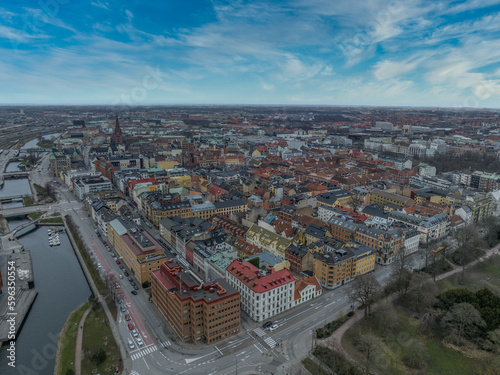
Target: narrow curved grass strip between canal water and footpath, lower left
67 341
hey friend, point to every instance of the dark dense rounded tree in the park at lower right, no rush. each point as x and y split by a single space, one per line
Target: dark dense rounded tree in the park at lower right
463 321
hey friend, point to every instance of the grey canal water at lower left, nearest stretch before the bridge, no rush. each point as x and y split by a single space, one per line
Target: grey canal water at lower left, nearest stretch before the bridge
61 287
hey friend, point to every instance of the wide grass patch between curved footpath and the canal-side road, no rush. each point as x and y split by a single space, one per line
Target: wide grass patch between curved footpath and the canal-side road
97 334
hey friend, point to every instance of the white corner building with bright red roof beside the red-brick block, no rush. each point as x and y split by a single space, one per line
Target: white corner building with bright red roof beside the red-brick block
264 293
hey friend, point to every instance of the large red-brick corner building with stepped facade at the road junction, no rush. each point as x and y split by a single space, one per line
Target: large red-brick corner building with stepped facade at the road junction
204 312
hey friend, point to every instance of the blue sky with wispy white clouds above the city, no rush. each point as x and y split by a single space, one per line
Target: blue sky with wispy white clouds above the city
313 52
